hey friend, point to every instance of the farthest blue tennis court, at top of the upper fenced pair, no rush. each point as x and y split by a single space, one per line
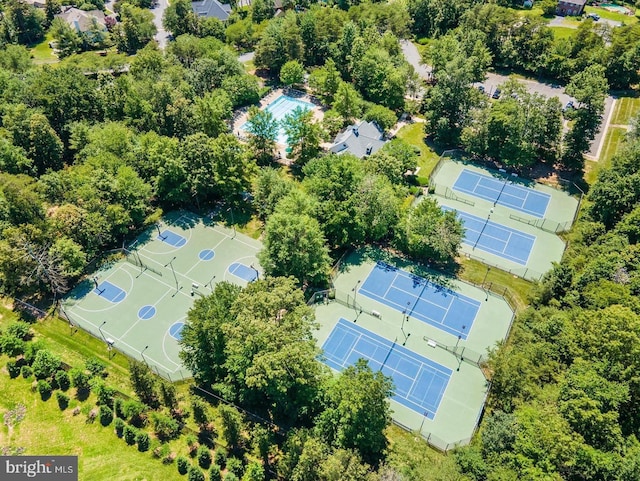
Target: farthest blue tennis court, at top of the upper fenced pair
501 192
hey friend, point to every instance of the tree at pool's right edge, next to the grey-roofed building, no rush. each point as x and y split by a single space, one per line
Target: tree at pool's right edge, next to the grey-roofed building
304 135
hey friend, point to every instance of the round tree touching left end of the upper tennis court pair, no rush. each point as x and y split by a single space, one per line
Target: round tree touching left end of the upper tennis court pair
430 234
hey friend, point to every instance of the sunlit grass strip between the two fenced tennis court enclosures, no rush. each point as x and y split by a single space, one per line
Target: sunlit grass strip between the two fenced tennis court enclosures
513 288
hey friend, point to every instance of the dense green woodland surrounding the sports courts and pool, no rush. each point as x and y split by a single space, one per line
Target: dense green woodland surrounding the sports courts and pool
93 149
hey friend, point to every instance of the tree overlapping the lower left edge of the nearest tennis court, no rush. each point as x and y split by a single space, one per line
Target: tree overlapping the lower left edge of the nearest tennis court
357 411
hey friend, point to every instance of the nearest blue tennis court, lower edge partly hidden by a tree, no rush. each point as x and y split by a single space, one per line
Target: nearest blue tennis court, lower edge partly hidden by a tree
419 383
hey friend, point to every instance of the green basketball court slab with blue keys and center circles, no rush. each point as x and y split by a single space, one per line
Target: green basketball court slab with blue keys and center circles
139 303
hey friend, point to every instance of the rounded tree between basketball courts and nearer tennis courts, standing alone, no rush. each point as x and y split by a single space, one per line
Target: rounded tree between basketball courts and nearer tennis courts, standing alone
294 245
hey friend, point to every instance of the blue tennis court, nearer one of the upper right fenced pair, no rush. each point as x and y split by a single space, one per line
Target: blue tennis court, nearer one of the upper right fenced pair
497 239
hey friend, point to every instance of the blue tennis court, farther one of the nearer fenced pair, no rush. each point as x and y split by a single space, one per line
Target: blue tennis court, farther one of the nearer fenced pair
421 299
